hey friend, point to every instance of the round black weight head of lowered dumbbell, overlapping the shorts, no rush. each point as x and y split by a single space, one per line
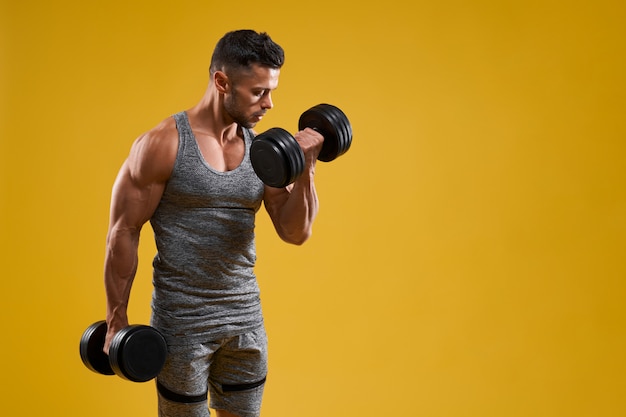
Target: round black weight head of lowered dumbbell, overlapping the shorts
138 353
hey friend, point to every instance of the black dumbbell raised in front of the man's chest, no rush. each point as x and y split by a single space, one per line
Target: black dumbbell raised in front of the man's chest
276 156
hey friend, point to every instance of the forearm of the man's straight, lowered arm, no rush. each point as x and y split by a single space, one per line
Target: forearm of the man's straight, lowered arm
119 273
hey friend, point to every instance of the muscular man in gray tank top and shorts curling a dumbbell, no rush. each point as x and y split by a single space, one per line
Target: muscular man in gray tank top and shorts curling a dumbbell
191 177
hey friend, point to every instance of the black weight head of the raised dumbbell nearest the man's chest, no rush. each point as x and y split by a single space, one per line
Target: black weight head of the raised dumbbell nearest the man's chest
276 157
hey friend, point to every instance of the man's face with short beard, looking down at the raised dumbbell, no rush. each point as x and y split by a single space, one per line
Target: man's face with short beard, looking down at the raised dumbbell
250 96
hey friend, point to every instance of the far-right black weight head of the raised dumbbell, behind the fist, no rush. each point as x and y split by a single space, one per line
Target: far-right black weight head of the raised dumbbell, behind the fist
333 124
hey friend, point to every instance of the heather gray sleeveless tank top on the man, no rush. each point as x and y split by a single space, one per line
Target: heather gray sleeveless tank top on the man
204 283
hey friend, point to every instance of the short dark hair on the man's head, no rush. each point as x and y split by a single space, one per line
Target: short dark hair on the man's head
240 49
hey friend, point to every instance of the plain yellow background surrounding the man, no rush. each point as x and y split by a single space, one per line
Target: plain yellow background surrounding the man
469 255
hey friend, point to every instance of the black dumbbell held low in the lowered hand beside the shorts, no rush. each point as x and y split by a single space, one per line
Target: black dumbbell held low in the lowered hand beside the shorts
137 353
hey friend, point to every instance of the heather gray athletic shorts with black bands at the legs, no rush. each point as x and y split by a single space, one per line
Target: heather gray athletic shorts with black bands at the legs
231 372
